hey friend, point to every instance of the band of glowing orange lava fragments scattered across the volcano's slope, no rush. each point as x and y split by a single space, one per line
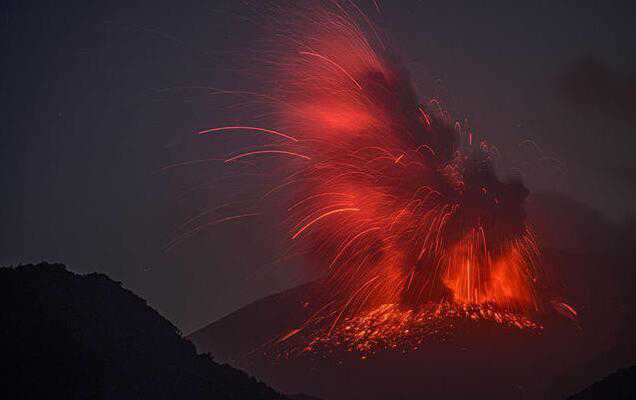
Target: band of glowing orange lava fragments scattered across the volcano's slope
393 328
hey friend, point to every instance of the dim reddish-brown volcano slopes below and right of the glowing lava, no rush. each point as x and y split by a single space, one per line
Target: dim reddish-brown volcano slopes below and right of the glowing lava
480 359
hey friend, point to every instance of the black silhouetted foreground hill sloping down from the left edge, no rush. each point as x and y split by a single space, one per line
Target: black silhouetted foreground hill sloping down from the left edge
72 336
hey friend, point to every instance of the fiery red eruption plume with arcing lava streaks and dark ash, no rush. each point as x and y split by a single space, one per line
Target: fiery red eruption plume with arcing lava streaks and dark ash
401 205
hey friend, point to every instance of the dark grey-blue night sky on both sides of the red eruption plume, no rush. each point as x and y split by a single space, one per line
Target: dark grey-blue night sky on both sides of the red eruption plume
91 111
